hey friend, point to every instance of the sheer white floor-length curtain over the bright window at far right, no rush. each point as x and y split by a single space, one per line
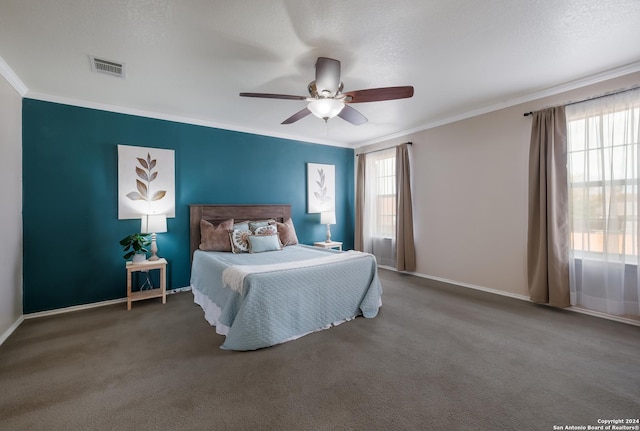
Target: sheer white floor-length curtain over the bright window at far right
603 138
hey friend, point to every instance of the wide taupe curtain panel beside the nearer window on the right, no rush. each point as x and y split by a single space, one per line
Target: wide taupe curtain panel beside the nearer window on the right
548 235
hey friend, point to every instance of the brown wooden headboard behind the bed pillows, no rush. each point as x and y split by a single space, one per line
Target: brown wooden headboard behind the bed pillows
219 213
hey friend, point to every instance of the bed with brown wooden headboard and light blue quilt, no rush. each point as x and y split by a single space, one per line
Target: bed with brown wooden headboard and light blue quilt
269 297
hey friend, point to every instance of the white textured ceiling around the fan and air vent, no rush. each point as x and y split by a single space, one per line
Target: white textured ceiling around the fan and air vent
188 59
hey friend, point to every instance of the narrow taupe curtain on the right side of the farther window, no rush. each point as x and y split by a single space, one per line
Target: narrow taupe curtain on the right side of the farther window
405 248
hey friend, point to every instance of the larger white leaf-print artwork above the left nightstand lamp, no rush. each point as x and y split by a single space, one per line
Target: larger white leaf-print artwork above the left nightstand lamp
146 182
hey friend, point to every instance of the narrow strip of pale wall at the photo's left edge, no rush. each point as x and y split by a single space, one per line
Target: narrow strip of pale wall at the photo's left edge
11 214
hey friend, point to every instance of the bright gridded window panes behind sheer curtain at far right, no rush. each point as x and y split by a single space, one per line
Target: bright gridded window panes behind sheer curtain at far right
603 180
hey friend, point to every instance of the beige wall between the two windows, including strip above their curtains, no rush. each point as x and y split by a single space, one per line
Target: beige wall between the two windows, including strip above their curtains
470 193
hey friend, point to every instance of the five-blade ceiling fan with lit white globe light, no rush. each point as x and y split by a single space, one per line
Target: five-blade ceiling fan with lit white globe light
327 100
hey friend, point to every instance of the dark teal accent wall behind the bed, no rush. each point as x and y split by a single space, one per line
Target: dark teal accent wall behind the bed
70 207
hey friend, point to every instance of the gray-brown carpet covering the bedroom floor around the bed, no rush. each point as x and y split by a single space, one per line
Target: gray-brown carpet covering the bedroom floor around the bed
437 357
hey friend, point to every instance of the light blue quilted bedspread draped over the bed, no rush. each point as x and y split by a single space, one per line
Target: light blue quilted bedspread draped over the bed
278 306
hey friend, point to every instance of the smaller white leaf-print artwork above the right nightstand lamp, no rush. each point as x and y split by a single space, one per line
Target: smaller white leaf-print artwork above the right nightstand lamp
321 188
